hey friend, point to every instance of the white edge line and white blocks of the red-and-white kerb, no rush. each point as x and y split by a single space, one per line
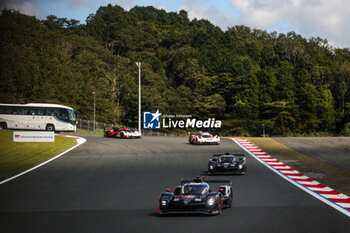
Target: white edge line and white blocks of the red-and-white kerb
289 175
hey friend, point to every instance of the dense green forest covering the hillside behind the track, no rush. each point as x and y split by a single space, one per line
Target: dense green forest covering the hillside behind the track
245 77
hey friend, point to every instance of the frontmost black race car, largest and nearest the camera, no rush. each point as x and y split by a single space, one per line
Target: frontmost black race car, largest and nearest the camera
196 197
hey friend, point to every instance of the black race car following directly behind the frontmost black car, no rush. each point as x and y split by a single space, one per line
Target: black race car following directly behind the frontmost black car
227 164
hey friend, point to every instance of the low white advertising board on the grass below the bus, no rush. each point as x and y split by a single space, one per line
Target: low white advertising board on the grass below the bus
33 136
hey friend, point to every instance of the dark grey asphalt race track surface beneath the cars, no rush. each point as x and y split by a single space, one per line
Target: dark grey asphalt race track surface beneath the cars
112 185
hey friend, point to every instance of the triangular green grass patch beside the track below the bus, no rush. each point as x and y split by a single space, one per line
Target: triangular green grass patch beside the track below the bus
16 157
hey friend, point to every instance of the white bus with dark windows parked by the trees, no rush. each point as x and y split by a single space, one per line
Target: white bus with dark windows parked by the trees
49 117
